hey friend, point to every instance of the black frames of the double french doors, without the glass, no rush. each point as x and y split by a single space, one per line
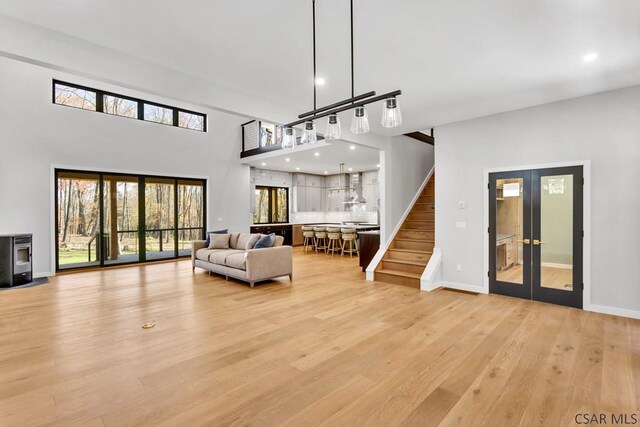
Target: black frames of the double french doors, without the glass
531 287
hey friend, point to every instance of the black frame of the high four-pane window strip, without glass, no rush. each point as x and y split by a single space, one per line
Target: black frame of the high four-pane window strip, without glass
100 94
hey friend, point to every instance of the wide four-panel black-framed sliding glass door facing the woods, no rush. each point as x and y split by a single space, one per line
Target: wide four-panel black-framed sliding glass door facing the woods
110 219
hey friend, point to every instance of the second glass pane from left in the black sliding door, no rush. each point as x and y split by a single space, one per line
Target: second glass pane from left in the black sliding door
121 237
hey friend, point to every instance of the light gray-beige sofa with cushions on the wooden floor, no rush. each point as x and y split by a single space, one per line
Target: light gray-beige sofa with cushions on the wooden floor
250 265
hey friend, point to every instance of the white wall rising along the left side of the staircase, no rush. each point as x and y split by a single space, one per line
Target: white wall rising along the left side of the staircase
405 163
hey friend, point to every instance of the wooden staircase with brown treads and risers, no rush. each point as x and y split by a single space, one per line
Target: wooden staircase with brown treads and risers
411 248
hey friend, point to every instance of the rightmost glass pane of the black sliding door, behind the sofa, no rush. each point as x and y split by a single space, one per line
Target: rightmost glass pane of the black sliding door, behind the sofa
190 214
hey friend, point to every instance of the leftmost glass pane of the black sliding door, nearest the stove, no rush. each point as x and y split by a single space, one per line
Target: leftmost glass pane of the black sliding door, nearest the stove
78 219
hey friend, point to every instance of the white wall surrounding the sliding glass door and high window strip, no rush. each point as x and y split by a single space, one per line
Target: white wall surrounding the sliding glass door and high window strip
36 134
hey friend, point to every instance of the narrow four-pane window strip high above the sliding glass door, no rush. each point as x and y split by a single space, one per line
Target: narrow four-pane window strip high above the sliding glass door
77 96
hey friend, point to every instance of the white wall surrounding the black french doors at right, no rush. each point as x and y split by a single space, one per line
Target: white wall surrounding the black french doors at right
603 128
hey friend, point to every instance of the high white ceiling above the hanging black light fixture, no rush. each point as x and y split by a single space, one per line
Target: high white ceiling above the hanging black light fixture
453 59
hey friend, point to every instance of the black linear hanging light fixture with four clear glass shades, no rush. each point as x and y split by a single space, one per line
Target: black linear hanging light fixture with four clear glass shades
391 116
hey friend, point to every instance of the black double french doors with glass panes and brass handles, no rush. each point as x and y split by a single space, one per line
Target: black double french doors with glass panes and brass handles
535 234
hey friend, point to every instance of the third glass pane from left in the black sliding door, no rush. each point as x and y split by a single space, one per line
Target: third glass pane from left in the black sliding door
160 221
